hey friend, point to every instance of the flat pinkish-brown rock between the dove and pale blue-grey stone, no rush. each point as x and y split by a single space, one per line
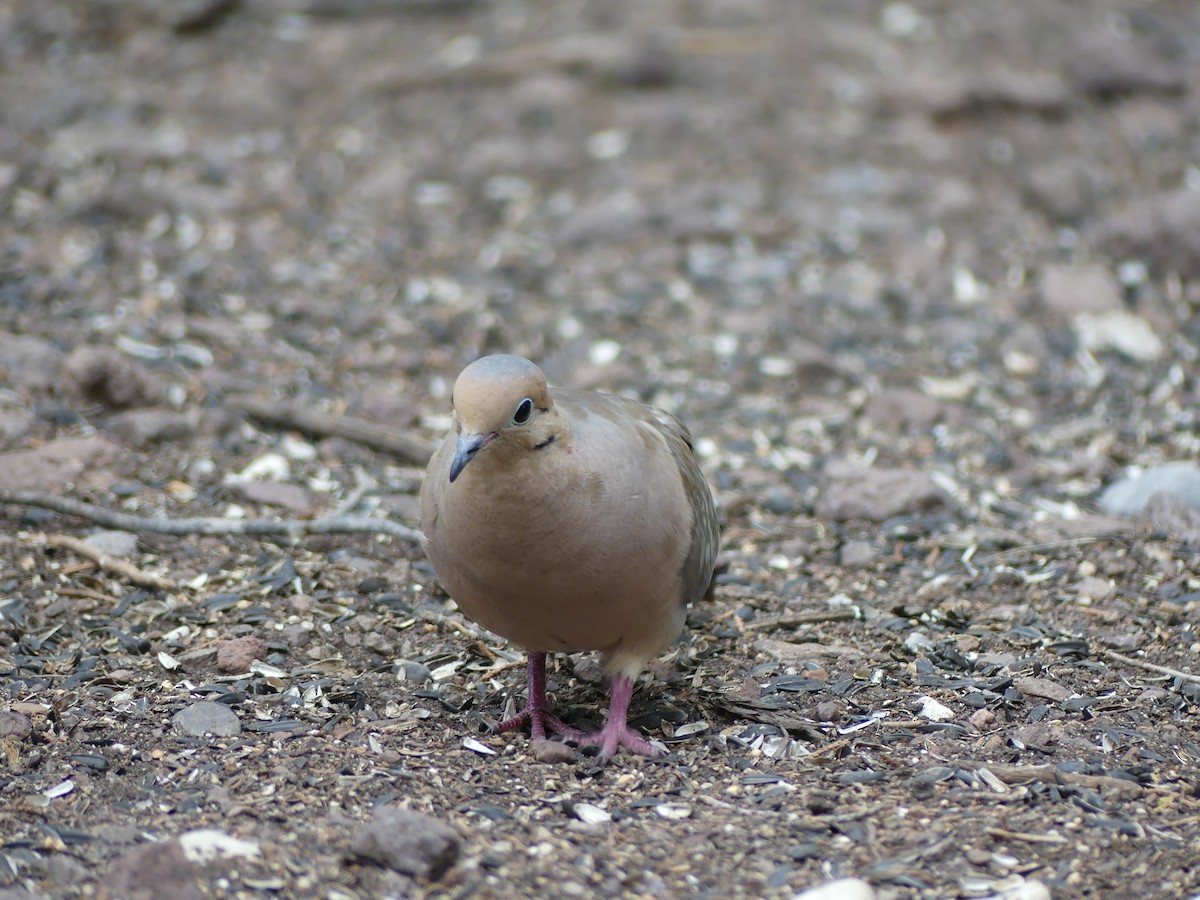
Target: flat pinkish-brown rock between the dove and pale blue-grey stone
878 495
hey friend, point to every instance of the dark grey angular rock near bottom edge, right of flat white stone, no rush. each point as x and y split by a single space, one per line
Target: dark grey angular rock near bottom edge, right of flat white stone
409 843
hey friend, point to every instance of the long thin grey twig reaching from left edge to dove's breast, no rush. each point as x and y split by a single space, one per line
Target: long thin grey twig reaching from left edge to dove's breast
209 526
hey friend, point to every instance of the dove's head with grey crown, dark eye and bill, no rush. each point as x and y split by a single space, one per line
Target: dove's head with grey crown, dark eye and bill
501 403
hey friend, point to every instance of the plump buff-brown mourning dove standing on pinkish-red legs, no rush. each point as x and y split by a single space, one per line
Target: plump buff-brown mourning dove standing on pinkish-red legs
566 521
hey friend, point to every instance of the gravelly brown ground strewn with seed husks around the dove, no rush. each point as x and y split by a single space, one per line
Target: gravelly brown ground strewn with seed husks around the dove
923 279
